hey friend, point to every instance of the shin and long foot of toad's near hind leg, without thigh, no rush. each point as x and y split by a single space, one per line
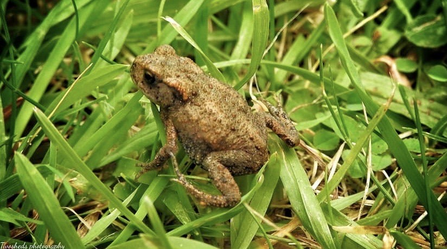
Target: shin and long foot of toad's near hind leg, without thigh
221 178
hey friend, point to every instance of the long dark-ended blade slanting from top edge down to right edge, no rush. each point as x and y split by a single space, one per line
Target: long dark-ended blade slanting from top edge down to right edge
395 144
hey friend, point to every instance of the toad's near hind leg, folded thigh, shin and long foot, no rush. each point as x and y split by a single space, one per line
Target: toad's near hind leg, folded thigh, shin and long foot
221 177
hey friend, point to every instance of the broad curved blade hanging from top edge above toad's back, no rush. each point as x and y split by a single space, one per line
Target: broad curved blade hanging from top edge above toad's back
260 37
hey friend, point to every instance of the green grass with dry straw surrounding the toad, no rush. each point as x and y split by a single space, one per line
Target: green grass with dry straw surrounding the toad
73 126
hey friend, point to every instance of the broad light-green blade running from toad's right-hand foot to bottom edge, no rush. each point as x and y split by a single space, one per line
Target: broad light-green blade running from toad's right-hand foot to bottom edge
303 199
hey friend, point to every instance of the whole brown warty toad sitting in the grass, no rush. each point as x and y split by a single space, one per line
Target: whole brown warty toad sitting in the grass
212 121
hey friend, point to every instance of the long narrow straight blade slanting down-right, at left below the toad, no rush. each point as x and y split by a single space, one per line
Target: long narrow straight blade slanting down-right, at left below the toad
78 165
